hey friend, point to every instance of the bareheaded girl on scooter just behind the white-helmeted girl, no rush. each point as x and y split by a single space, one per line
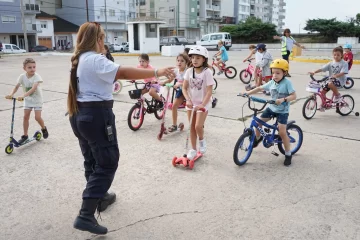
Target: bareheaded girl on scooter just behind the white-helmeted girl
182 62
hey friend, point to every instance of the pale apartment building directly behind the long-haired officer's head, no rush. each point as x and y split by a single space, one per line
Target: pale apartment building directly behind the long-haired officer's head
112 17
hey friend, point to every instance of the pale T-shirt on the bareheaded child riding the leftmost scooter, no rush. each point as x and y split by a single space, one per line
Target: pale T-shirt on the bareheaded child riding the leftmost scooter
35 99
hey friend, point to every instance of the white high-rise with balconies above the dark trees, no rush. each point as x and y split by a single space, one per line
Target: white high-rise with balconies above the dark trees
267 10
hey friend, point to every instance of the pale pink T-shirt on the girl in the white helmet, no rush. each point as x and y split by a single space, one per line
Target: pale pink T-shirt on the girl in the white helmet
198 85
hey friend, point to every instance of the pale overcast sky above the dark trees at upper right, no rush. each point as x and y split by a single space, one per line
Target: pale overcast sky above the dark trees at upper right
297 12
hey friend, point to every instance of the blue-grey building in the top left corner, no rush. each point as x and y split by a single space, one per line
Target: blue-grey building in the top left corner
11 30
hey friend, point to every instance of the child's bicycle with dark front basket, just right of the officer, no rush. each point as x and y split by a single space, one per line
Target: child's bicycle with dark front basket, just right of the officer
138 111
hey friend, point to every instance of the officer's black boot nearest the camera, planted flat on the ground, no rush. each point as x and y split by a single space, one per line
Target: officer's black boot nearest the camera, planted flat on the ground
86 220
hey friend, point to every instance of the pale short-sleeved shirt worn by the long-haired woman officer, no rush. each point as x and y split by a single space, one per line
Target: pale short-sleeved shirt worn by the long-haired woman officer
96 75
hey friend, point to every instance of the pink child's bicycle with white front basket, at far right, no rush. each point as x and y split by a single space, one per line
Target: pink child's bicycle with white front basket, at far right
344 107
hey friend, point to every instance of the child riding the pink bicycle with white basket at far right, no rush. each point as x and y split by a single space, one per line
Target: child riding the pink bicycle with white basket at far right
338 69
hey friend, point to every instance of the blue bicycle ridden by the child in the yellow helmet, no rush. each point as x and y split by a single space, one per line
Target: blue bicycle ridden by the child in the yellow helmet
271 138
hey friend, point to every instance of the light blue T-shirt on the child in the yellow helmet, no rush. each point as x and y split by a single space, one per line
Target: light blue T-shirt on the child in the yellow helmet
279 90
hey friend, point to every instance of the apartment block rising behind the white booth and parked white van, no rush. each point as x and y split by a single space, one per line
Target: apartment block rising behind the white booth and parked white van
191 18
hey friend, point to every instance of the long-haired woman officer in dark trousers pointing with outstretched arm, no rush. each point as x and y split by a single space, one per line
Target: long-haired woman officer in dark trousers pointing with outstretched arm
90 105
